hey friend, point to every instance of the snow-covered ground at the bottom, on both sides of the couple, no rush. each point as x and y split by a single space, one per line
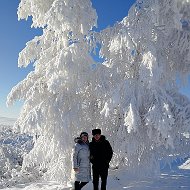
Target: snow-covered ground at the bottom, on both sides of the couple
178 179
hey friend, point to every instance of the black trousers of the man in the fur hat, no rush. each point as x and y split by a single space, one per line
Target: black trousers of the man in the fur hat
100 173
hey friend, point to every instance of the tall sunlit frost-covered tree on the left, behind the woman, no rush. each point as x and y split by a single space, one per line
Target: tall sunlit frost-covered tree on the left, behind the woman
58 98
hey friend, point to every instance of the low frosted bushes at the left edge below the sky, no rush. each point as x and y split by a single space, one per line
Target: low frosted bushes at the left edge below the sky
13 146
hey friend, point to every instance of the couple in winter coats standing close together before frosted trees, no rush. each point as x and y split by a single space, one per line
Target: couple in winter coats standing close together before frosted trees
98 152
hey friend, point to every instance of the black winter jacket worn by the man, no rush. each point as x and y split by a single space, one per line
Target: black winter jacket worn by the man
100 152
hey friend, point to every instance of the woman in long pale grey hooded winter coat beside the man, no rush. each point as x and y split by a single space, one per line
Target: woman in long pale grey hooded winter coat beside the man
81 161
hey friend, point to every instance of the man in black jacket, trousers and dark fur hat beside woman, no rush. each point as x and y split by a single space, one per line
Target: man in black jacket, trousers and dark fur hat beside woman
100 156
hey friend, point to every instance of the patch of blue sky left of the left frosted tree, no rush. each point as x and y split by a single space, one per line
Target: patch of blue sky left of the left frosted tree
13 36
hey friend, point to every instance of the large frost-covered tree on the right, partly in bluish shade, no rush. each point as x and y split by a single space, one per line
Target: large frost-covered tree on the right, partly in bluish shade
147 53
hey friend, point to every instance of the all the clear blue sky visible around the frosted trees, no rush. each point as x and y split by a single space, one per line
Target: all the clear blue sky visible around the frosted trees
14 34
